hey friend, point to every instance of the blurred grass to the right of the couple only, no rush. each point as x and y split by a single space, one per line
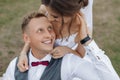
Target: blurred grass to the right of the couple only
107 29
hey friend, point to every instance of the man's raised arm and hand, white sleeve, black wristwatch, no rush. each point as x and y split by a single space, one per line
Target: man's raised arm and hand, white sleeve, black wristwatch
101 62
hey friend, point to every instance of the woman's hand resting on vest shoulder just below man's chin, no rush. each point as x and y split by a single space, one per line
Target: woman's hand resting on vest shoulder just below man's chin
60 51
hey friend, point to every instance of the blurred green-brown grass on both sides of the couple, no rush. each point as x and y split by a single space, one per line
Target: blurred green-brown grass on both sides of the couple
106 28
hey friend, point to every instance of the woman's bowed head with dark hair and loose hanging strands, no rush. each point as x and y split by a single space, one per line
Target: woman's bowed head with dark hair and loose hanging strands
63 12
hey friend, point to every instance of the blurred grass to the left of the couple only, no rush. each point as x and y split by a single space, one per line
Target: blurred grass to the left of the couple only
11 14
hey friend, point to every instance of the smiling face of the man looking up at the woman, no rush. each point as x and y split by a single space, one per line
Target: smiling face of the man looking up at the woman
41 34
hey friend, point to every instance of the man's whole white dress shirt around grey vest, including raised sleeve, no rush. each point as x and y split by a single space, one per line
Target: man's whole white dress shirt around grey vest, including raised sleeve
73 67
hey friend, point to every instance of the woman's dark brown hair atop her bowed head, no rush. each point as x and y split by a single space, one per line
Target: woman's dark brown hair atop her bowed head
66 7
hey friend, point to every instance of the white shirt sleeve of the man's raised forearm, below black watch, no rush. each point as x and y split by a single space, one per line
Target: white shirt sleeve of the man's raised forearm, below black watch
97 56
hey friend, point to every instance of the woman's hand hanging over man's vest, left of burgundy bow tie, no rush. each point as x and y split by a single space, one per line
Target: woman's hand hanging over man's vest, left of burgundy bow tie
23 60
